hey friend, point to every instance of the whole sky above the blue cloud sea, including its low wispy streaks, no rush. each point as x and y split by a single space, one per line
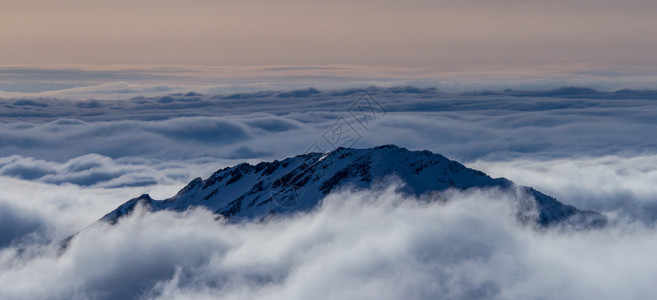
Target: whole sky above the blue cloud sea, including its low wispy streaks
228 45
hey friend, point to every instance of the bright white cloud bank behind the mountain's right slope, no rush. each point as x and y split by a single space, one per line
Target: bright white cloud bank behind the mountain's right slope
621 186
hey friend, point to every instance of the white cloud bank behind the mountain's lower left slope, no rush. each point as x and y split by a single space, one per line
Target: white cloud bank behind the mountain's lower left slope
35 212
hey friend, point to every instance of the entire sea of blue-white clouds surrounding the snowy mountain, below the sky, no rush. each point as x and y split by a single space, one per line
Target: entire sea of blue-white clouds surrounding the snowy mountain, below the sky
65 163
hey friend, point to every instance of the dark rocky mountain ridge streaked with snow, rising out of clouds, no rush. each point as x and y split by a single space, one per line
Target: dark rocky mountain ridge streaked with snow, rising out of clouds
253 192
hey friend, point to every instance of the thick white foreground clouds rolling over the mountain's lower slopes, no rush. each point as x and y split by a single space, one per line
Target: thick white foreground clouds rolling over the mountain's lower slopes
358 245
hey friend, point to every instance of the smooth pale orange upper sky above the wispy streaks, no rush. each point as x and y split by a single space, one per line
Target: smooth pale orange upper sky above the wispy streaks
445 35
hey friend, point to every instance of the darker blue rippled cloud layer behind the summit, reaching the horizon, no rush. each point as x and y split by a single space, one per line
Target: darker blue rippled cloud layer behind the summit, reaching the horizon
278 124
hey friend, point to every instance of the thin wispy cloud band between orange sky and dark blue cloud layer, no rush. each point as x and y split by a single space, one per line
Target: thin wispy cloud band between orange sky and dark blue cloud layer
123 81
